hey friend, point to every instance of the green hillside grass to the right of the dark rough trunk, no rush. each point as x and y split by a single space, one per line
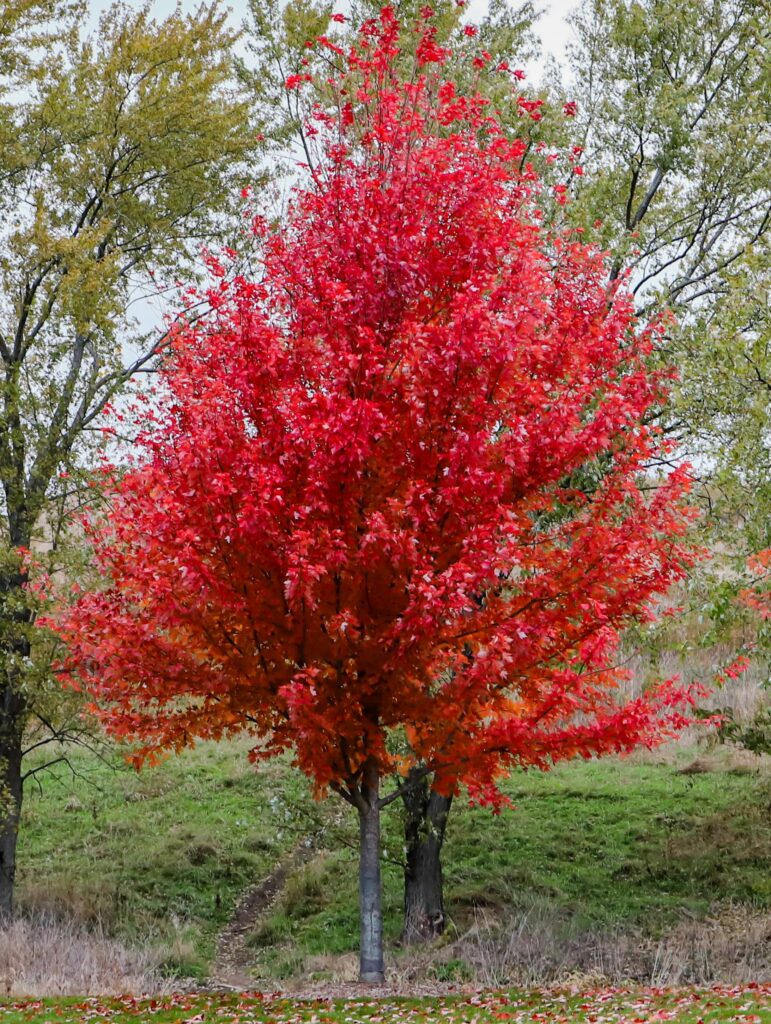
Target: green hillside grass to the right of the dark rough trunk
621 843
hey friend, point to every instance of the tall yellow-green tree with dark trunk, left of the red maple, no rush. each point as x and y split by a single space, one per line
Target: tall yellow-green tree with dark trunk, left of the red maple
119 158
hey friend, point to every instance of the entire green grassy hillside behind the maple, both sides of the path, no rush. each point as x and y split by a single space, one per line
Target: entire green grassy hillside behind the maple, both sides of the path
610 848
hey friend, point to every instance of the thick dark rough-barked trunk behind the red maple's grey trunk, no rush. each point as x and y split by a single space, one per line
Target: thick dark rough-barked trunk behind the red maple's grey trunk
425 823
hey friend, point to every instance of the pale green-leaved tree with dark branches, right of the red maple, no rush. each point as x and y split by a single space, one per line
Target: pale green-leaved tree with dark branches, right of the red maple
674 101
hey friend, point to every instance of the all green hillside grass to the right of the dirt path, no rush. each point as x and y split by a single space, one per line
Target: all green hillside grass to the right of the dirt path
614 845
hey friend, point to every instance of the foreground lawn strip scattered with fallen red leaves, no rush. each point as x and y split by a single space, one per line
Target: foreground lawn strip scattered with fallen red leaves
751 1005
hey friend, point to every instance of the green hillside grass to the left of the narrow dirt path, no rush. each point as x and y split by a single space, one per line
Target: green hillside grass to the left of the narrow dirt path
162 855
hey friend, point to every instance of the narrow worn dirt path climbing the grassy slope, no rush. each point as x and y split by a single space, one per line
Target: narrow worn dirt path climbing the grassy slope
234 959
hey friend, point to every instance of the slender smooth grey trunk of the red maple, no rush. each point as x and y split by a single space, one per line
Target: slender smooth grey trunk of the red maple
370 892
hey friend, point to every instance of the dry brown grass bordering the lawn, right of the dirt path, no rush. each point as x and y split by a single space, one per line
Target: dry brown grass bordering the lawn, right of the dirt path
540 947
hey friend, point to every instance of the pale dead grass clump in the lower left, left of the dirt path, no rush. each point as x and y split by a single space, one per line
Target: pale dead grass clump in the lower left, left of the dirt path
44 956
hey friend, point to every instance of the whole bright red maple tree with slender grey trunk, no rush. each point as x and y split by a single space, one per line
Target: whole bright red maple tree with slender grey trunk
396 510
